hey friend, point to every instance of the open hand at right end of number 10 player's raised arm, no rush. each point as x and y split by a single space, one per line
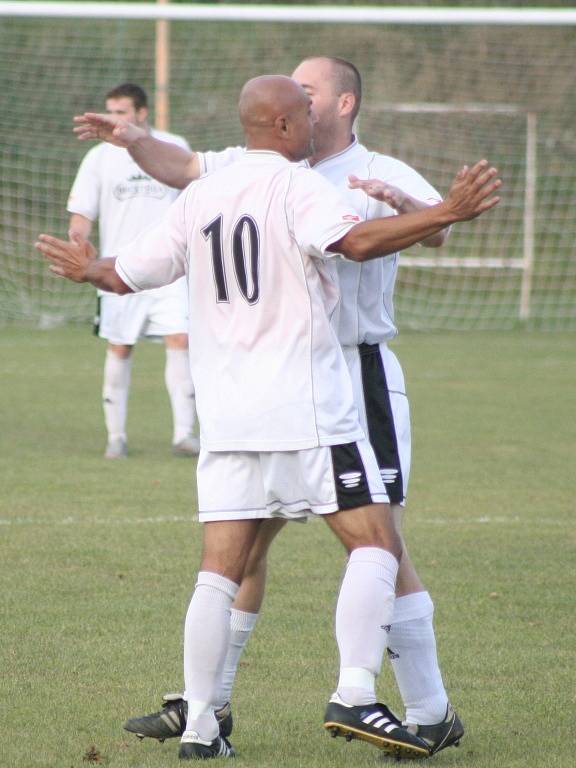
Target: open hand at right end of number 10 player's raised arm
472 191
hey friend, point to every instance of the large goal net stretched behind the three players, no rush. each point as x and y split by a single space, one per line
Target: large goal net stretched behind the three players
440 89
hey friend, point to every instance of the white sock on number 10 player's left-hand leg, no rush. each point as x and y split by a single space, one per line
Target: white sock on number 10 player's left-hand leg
206 636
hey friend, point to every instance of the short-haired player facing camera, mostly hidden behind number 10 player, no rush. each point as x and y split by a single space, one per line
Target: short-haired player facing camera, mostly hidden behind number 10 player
365 326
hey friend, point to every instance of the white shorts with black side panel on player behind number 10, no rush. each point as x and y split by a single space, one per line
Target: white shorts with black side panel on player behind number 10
380 397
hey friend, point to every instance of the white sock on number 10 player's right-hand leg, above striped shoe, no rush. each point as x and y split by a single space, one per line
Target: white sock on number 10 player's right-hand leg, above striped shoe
364 609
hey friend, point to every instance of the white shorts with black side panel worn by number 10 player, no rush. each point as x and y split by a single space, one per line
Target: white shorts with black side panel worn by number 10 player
243 485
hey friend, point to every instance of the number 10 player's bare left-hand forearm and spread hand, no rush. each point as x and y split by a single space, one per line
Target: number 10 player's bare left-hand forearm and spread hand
77 261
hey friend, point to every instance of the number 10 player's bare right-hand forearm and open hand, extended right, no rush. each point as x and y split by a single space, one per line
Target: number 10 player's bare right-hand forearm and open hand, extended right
471 194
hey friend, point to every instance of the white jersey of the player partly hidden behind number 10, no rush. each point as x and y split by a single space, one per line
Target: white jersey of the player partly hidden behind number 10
366 311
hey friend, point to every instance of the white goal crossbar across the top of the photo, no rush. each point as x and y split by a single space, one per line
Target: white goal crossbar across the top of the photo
294 13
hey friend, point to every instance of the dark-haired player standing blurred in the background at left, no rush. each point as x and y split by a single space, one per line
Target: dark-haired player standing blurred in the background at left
111 188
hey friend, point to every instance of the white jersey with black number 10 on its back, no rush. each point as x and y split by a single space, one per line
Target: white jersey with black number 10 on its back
267 367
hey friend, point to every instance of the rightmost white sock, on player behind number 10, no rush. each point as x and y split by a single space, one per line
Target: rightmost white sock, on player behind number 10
412 652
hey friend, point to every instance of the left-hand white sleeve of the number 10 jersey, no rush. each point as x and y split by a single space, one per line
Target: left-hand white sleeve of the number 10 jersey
158 255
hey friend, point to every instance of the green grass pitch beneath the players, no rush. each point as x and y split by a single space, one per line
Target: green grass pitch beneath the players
98 561
